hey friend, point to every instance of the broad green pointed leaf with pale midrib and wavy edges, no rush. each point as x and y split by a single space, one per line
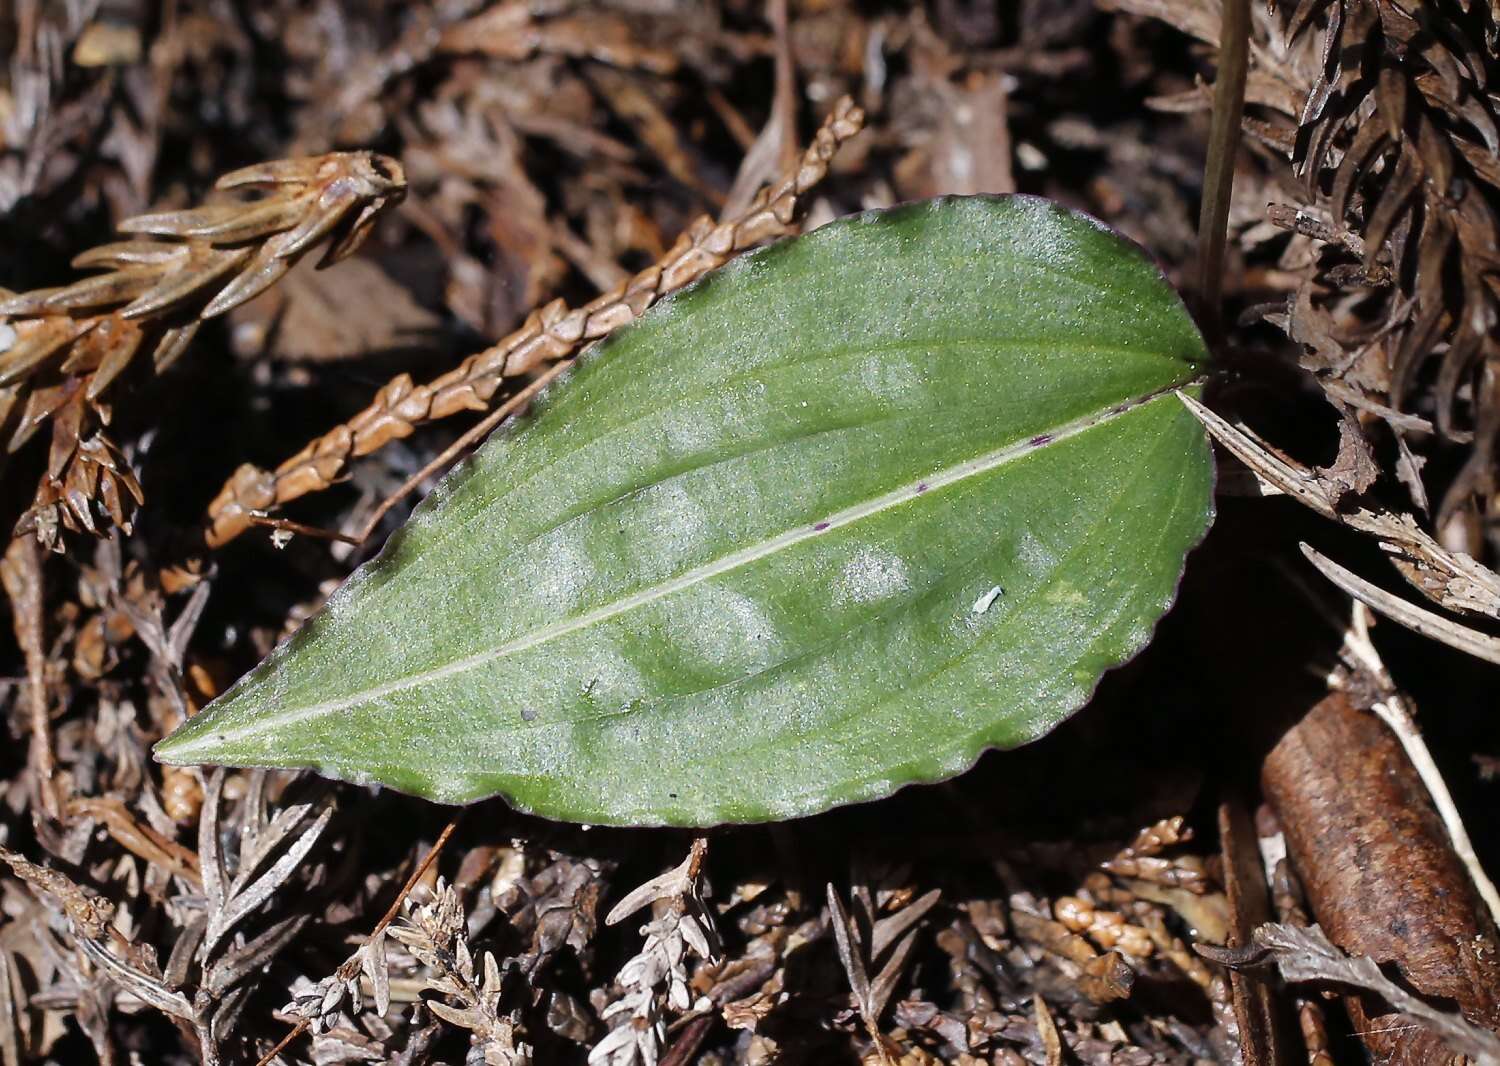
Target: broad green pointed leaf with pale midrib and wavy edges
836 520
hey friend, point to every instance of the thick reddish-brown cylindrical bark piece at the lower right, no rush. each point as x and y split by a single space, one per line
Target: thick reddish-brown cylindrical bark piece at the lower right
1381 875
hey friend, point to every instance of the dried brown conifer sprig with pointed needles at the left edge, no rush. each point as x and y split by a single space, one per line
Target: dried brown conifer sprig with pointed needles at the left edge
62 349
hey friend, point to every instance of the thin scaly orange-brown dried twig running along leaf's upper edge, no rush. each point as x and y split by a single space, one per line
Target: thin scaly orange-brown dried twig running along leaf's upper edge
548 335
